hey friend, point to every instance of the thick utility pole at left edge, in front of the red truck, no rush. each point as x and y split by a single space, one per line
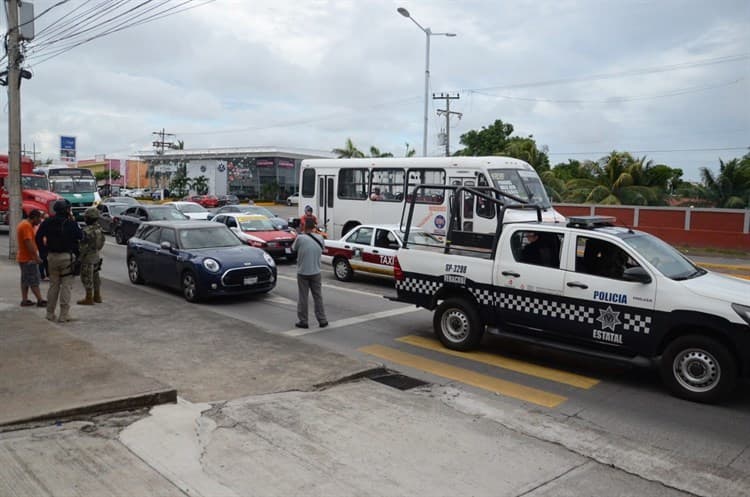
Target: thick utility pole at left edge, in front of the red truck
14 127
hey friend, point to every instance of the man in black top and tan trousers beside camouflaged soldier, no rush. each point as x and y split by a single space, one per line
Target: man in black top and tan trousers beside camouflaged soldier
60 235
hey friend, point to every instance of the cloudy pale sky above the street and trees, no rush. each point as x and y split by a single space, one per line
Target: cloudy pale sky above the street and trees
666 79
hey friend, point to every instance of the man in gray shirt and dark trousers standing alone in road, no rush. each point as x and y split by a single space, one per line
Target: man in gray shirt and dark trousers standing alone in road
309 248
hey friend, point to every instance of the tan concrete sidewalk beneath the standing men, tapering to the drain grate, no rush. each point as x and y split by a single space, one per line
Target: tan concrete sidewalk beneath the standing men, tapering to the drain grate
134 350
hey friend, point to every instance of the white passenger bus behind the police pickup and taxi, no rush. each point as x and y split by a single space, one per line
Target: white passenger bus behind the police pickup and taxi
345 193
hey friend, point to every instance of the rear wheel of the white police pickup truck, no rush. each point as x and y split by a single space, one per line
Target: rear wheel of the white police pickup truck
457 324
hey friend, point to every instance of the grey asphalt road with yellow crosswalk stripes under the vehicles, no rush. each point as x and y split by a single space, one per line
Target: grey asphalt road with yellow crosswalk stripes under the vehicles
620 400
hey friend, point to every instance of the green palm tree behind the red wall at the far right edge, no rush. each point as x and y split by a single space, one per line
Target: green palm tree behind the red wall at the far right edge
729 188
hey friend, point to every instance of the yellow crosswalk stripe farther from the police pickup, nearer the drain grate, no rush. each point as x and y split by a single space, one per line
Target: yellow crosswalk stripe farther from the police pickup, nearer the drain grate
496 385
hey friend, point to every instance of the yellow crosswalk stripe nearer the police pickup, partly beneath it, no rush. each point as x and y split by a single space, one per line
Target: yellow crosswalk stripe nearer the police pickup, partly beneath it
526 368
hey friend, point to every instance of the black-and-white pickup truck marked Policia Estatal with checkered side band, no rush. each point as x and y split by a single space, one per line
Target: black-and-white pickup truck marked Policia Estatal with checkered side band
587 287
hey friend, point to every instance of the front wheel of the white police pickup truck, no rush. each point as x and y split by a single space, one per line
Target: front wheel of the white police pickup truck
698 368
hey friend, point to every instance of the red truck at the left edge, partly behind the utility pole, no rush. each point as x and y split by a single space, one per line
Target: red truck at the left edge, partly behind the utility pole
35 192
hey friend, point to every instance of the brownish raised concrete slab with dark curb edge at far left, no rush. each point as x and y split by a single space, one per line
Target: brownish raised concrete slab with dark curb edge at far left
47 373
